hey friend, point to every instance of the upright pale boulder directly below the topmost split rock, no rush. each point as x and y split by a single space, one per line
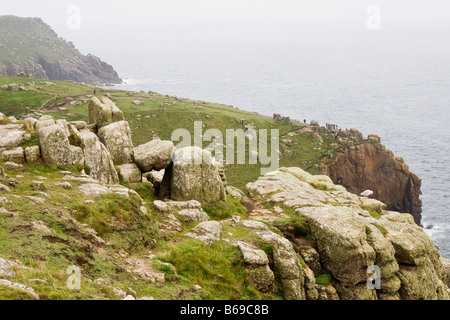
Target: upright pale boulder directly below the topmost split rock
117 139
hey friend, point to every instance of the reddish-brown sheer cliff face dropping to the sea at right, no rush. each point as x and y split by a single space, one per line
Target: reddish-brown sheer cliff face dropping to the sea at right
371 166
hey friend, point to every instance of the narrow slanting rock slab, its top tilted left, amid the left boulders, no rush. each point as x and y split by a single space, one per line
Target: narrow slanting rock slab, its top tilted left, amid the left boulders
98 158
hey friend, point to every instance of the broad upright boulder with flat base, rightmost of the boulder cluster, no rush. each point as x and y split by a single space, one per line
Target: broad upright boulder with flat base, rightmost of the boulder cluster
195 176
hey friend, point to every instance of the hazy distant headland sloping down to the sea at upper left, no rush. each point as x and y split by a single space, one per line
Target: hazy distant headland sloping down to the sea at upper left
29 46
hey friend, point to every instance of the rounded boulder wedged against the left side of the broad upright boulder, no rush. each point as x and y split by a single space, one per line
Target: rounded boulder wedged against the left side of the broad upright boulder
156 154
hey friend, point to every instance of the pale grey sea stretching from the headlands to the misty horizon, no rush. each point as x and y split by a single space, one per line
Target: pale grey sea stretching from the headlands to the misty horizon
394 82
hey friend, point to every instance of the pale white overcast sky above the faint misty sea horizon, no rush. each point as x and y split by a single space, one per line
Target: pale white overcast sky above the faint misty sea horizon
207 11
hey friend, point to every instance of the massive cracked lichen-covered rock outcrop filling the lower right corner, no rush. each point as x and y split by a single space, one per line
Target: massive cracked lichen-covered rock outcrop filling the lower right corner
340 236
